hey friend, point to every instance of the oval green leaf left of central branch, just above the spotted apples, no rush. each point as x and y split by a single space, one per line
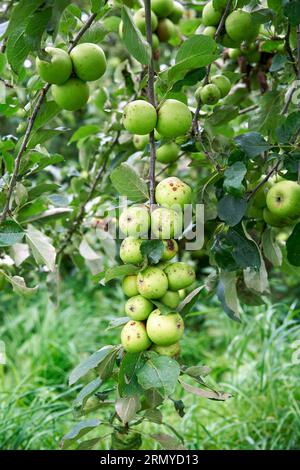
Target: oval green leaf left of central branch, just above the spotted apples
128 183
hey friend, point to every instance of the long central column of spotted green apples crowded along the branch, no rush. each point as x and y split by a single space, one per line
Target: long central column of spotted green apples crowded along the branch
155 284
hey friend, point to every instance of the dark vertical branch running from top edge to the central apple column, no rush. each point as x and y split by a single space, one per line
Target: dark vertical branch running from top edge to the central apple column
152 100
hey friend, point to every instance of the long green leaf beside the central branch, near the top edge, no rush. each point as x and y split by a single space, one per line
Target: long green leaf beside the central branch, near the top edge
134 40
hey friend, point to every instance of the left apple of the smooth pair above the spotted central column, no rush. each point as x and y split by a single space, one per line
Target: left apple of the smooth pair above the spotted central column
139 117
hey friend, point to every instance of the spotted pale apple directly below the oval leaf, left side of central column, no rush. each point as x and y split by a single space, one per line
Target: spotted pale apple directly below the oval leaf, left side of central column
135 221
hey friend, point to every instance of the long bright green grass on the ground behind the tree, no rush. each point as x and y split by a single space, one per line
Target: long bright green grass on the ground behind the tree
253 361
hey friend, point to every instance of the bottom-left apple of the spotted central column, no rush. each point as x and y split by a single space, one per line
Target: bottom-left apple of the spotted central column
134 337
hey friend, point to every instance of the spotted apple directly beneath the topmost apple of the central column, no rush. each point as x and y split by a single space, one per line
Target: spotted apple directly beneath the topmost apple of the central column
166 223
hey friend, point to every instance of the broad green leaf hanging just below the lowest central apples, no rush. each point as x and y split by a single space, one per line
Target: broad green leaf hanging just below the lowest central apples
159 372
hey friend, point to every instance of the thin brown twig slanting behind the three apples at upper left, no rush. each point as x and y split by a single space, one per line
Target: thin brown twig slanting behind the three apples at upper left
36 109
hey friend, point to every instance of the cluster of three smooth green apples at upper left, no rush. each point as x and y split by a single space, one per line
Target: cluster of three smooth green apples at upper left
68 73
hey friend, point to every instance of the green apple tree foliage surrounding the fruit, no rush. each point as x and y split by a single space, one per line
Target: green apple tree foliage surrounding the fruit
62 173
